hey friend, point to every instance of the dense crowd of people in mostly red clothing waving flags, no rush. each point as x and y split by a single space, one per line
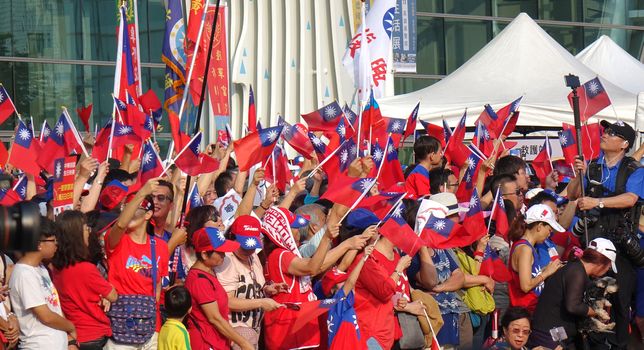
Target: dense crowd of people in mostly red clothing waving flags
252 267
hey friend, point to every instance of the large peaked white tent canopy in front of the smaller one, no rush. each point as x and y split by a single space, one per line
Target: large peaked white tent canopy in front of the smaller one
521 60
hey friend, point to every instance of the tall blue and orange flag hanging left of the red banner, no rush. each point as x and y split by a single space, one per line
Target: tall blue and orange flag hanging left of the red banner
174 56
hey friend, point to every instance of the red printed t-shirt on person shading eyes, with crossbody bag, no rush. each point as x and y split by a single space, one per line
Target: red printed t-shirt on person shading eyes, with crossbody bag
130 267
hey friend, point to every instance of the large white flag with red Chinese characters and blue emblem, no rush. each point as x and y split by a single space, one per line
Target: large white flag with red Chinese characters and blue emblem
375 35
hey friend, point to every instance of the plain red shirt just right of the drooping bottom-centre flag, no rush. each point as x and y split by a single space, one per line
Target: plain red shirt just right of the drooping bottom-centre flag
373 304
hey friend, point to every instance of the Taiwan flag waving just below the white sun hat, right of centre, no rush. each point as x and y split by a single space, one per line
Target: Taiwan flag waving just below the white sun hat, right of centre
443 233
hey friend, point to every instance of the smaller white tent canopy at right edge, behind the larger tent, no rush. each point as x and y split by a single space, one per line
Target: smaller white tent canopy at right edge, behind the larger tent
613 63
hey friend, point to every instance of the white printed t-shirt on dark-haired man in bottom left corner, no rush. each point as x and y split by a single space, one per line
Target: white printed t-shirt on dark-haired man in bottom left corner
32 287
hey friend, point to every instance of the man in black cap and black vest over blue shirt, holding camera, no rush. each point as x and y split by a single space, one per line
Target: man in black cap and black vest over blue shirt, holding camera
611 184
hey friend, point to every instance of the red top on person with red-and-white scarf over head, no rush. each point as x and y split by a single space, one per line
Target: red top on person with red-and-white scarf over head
277 324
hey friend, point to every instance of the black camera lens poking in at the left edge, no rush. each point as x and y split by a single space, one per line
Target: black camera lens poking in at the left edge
20 229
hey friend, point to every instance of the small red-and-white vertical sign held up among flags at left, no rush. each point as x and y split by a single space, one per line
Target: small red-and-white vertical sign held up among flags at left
64 174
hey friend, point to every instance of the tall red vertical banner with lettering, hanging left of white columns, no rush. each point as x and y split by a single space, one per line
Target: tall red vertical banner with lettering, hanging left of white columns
218 79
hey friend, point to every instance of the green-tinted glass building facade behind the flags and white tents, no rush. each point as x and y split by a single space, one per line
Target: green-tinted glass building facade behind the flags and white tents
55 52
